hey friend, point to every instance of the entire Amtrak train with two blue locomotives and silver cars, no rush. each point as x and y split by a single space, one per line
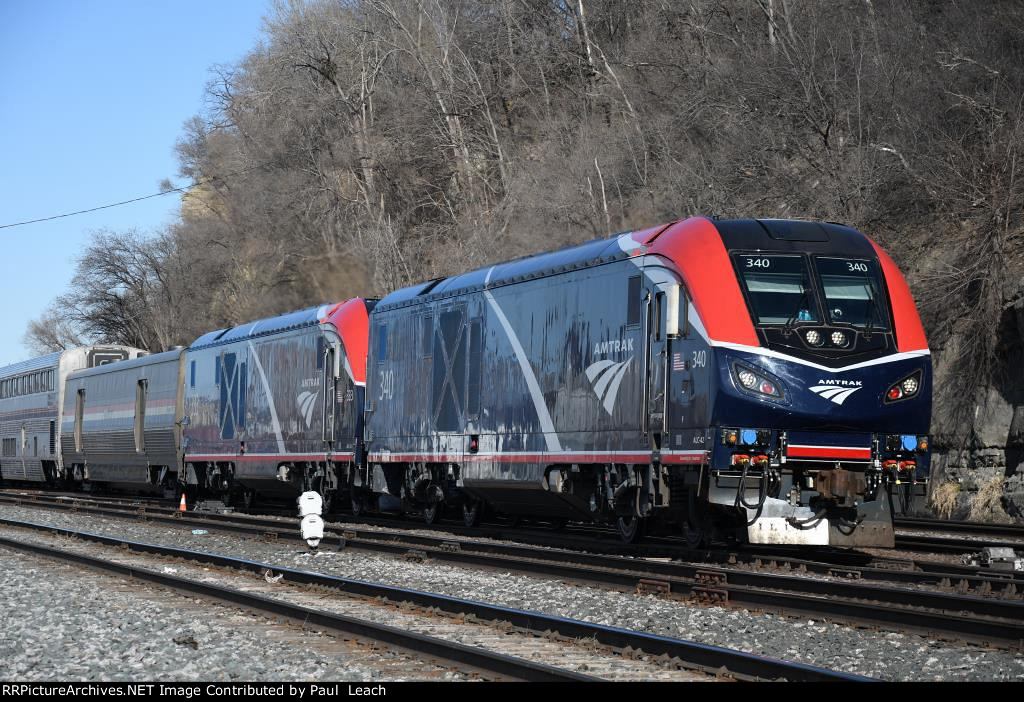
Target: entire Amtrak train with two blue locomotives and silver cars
757 380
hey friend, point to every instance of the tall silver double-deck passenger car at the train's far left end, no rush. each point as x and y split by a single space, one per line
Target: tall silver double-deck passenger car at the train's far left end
31 401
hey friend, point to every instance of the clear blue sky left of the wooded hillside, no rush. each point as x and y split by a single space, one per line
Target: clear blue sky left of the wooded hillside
93 98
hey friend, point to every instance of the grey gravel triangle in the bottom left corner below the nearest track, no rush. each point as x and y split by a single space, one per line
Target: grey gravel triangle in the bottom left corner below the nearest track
64 623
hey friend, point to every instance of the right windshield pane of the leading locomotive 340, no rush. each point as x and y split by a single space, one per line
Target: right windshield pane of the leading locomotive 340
854 292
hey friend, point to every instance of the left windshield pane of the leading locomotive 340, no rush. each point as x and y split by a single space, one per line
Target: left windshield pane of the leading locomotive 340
779 288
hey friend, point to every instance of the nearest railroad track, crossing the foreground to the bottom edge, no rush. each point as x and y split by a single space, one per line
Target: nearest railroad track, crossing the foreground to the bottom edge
690 655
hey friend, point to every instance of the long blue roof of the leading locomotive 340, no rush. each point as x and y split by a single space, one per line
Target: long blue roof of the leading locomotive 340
538 266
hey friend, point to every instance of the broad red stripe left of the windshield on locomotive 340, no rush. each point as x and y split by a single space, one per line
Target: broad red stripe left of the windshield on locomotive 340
697 249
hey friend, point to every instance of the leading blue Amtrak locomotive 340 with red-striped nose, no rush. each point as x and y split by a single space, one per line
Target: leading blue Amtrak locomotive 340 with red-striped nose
766 379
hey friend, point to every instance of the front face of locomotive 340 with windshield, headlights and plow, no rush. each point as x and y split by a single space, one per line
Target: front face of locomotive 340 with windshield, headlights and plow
819 426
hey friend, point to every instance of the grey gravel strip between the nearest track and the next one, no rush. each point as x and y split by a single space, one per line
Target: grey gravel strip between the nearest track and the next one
890 656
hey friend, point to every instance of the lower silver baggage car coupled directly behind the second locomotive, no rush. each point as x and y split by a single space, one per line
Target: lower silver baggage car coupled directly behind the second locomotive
122 423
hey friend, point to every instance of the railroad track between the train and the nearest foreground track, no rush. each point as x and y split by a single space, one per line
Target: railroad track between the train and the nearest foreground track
988 610
